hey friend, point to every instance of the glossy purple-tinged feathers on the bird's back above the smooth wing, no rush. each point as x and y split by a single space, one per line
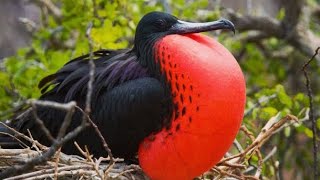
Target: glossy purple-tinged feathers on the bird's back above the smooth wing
111 68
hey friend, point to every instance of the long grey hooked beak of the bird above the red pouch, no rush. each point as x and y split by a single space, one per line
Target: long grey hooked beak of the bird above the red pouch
183 27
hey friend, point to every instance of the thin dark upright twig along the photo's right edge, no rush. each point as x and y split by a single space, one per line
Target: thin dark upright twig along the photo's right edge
311 114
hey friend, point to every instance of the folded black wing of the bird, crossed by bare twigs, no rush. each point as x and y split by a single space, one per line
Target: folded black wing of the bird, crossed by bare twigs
127 104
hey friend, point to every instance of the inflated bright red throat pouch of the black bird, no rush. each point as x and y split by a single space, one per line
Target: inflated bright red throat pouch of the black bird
208 73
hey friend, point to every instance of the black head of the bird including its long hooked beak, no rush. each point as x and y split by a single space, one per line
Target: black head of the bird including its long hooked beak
156 25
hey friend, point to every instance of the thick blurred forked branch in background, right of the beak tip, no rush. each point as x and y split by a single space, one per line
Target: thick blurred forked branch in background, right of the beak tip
291 29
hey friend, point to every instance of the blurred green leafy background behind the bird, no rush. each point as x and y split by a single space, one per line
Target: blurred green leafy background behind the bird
274 39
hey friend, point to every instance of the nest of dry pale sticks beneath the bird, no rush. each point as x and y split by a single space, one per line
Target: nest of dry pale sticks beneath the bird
64 166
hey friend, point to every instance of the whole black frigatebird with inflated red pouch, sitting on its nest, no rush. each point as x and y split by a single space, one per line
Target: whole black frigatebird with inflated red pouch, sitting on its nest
176 99
